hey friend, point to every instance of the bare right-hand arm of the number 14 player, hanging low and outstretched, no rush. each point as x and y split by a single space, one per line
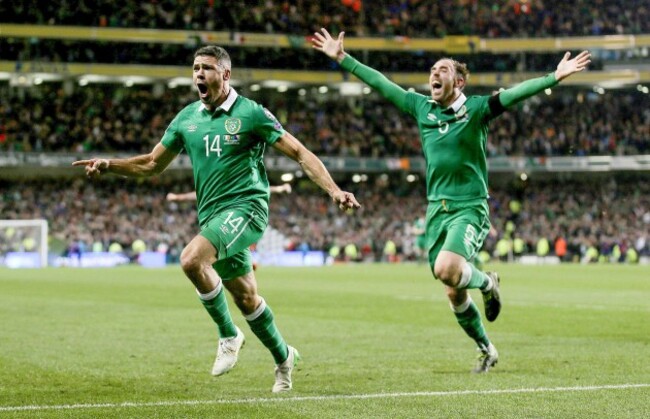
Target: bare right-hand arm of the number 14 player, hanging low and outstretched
315 169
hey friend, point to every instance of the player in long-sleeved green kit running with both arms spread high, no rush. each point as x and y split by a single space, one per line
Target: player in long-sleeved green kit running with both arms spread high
453 131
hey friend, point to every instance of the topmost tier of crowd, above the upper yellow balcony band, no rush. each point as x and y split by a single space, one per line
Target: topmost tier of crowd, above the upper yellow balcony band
408 18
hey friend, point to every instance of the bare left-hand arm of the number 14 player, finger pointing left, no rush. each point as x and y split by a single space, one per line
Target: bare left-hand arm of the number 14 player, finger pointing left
138 166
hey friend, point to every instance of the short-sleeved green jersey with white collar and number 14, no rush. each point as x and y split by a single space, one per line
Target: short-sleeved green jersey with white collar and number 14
226 148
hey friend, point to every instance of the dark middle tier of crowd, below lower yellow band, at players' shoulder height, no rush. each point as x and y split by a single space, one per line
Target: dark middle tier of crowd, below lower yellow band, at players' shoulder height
114 118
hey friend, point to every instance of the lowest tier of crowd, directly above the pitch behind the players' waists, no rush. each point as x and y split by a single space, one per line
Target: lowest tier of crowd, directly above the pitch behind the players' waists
594 220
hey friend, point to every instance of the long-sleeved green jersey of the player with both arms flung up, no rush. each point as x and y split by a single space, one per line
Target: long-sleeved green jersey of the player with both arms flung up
454 138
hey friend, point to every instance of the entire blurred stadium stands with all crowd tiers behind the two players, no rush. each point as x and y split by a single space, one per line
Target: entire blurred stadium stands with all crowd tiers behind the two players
569 168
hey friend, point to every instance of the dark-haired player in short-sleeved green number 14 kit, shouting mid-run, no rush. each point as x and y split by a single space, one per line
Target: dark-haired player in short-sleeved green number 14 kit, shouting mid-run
225 135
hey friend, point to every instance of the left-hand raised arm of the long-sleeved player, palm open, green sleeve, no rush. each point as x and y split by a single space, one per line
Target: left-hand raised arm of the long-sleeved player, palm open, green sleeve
333 47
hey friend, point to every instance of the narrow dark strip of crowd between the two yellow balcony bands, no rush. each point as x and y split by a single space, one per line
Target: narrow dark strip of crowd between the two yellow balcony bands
37 54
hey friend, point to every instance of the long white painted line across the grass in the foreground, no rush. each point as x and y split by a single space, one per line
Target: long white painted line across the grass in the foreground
319 398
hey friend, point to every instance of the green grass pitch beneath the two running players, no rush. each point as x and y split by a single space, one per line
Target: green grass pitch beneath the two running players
376 340
